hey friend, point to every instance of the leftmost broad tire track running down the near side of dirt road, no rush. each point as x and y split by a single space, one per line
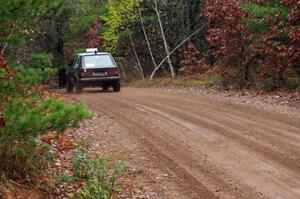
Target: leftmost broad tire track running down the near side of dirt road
178 154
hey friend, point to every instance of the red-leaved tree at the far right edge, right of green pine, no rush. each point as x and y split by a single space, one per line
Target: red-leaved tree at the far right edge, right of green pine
277 51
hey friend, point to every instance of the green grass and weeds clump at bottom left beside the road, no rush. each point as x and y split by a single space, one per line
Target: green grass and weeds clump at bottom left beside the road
96 175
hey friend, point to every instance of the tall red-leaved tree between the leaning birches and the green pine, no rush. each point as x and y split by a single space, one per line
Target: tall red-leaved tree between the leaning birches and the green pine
227 37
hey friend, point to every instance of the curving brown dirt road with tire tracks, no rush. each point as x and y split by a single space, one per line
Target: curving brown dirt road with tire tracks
206 148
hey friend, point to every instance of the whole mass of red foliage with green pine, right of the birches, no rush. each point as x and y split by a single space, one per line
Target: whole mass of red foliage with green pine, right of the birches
252 44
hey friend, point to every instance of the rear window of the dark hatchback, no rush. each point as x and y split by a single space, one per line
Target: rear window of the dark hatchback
96 61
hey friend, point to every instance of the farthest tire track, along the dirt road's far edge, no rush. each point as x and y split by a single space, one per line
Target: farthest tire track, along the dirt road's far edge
224 107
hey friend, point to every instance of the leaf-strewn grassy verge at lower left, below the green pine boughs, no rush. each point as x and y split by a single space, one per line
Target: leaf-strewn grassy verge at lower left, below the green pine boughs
77 175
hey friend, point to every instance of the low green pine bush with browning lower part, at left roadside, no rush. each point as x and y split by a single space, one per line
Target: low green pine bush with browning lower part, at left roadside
21 153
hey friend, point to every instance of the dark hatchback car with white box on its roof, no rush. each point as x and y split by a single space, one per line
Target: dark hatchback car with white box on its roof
93 69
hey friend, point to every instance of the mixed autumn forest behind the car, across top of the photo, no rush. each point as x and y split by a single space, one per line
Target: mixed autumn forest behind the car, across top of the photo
248 44
